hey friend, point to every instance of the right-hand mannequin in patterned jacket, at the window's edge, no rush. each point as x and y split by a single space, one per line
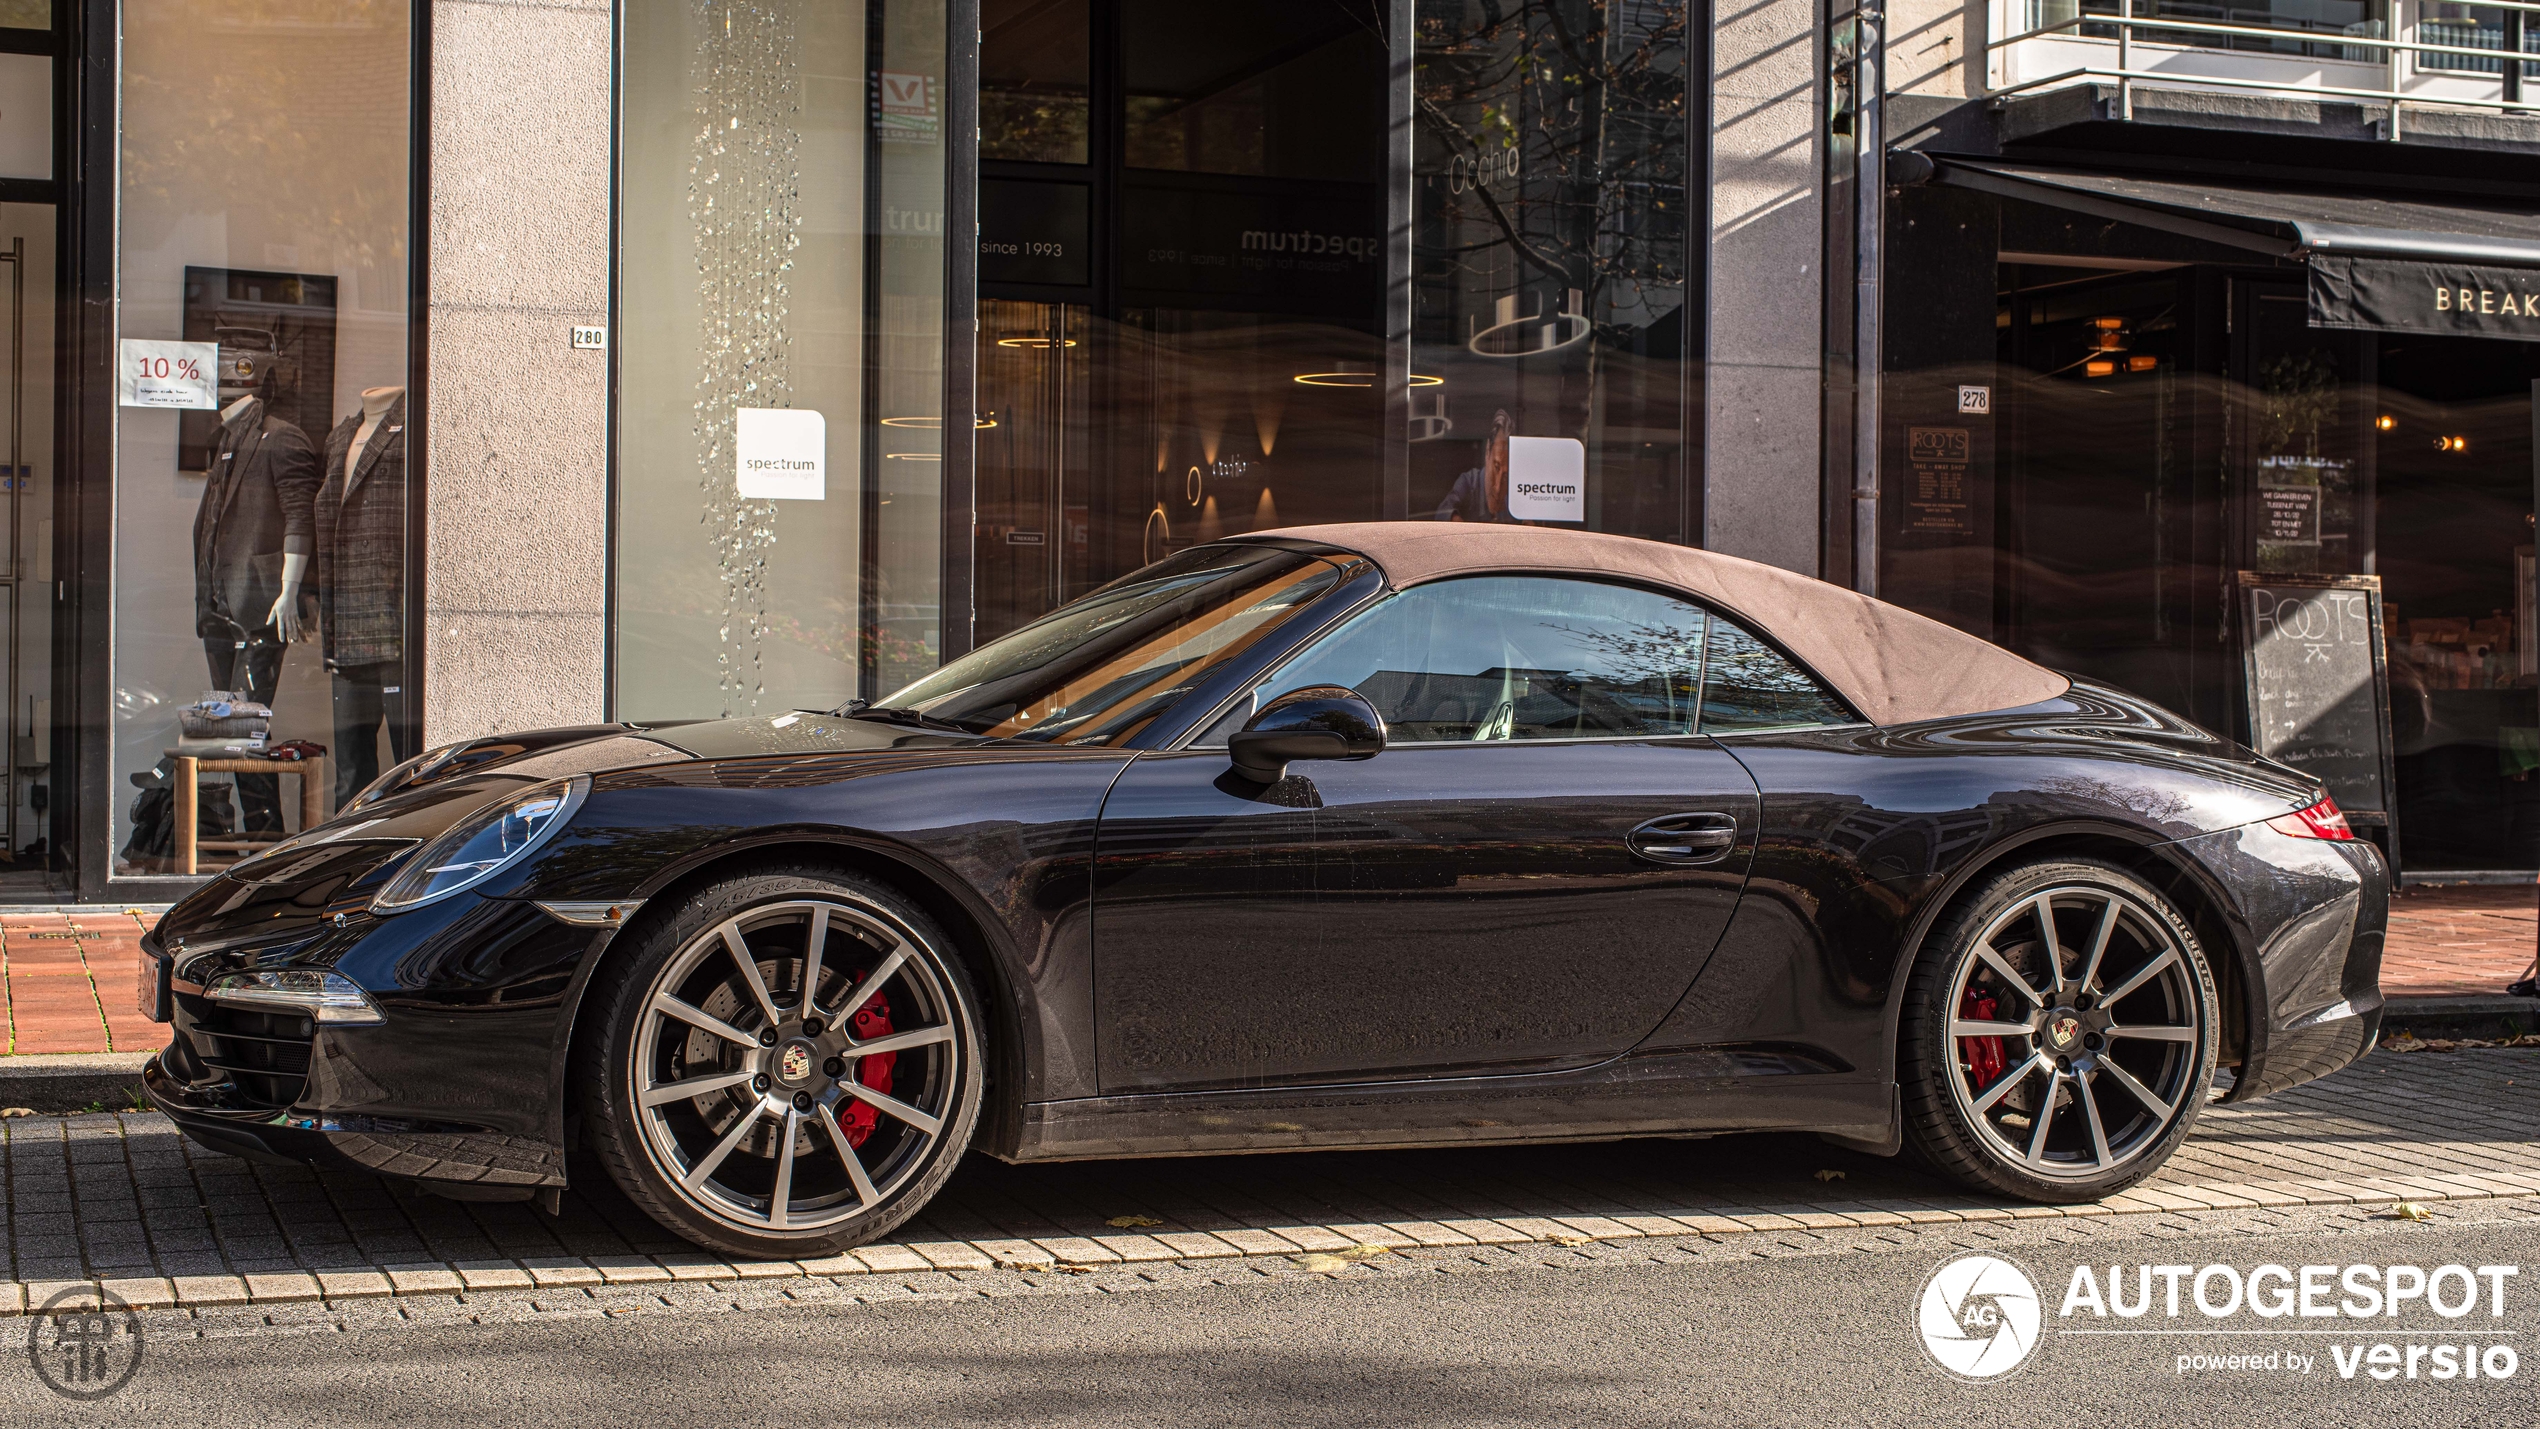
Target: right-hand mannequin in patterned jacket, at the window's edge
362 583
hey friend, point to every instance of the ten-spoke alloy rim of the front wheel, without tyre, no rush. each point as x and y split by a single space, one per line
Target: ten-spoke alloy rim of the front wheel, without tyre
796 1065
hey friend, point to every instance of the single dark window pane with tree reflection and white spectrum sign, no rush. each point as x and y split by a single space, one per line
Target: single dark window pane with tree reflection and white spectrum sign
1551 268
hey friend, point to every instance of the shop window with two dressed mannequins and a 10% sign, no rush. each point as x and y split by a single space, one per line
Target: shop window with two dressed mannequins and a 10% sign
260 456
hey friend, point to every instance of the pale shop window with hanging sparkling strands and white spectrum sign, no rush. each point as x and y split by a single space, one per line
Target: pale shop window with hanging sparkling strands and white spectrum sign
781 352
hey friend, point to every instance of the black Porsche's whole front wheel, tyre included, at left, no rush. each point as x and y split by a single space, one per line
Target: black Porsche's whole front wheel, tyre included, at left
789 1065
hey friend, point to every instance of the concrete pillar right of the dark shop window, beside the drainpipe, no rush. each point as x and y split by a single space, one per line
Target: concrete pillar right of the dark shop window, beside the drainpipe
1761 466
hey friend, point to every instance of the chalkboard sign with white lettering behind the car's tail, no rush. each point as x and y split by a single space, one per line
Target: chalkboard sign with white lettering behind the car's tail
2320 684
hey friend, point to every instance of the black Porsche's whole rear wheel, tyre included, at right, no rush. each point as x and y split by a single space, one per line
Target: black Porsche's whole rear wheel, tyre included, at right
2059 1034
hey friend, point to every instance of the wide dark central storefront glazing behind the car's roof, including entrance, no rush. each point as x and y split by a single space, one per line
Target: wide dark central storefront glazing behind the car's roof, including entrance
1195 334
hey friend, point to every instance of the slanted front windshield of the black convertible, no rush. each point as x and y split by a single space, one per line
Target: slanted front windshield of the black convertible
1101 669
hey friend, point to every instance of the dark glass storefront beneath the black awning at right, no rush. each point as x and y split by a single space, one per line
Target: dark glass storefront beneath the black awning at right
2170 430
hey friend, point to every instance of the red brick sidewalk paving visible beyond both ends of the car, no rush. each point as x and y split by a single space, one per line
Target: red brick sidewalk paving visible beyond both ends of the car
67 981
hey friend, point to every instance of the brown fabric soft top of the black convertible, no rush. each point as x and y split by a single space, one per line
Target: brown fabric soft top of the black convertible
1886 661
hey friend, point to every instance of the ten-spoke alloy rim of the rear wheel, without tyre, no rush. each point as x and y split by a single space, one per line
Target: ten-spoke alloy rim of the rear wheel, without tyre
2076 1029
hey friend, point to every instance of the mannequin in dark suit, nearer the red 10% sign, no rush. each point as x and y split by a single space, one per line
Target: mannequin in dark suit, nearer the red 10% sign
253 542
